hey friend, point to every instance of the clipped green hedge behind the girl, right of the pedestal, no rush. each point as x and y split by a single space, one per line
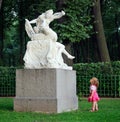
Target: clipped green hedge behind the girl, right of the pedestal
108 74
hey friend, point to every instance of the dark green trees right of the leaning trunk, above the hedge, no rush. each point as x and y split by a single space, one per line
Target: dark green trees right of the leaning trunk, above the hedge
111 21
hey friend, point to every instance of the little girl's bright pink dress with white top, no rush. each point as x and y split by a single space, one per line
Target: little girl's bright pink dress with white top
95 96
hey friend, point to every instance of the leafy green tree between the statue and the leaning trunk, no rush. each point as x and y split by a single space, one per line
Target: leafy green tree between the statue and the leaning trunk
75 26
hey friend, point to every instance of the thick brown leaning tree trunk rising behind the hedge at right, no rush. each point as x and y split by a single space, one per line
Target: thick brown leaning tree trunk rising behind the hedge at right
104 54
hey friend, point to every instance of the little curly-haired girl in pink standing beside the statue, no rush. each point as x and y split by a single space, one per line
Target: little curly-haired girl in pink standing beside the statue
94 98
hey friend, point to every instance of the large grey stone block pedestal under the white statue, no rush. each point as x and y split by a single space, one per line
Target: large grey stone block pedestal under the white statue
45 90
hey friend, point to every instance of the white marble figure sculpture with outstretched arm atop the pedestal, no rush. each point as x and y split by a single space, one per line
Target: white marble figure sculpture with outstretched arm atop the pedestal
43 51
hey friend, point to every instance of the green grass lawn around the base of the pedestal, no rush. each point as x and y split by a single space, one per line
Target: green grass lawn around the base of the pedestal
109 111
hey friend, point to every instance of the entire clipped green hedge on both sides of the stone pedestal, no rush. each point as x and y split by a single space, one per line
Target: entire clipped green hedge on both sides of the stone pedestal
107 73
